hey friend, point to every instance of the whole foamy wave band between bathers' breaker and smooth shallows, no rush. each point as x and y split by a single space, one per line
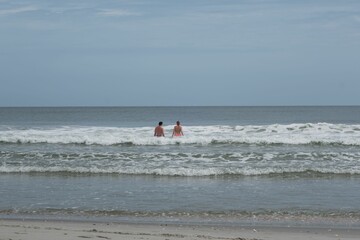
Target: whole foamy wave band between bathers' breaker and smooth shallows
183 164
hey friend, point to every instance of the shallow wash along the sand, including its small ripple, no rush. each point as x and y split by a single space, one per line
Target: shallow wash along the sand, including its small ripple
262 220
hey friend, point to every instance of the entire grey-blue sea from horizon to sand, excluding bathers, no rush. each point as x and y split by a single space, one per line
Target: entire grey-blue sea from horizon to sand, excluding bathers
234 164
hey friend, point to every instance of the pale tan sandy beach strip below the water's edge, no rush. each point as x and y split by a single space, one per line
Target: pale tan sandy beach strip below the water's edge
56 230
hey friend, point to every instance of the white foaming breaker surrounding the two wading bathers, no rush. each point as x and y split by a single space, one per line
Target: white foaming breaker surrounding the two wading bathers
292 134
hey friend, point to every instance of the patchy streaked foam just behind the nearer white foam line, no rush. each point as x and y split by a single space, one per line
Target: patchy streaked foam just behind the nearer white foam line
226 157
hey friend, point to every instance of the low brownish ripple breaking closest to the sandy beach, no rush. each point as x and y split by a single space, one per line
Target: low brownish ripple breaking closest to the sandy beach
260 215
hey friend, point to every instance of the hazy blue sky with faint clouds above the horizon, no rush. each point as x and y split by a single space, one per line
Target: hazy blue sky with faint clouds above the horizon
179 53
